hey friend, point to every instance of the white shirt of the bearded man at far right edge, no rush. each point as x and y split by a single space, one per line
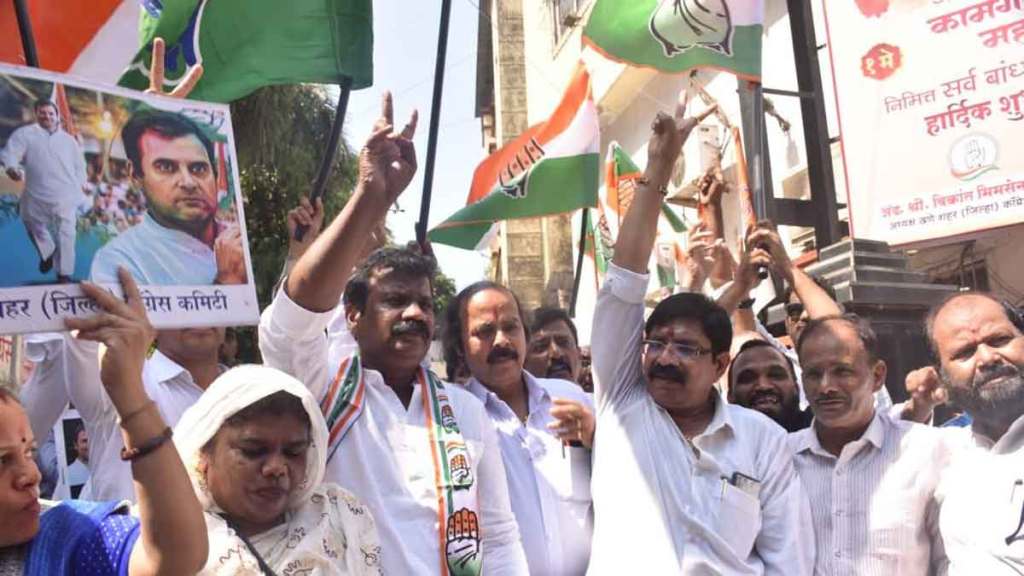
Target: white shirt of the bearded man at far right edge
983 496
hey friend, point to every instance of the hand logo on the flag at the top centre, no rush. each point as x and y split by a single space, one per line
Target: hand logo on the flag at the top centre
682 25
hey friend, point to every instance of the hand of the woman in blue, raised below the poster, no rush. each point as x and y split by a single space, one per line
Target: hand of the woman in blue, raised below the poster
124 328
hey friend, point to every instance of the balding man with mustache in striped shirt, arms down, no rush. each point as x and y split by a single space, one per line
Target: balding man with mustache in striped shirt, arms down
871 479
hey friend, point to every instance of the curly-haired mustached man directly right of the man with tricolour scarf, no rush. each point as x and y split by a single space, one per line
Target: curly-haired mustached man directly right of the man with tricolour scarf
545 426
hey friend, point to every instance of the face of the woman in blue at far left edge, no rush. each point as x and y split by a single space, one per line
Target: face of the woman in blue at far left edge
19 477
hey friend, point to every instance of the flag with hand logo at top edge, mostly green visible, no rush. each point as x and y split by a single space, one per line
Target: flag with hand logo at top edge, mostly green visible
675 36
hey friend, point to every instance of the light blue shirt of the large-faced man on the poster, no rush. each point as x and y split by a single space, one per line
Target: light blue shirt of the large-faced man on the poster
156 256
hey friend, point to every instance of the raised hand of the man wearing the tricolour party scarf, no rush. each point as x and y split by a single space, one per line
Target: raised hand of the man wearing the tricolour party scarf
388 162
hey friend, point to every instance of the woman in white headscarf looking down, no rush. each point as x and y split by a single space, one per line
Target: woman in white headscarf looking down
254 448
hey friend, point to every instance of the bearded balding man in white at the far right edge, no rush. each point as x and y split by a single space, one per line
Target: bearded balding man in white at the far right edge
978 344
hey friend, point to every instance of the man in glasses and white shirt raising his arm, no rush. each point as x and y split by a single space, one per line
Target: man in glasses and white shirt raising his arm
684 483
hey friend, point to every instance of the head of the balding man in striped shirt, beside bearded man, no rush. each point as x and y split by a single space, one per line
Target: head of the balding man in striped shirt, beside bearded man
839 378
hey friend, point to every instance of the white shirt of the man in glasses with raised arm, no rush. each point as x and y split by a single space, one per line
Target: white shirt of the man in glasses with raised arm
666 506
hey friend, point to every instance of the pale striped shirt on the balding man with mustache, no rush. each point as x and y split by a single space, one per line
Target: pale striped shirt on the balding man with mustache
875 508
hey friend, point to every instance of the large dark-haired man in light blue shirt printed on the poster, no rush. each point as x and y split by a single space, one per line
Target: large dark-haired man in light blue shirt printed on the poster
180 241
